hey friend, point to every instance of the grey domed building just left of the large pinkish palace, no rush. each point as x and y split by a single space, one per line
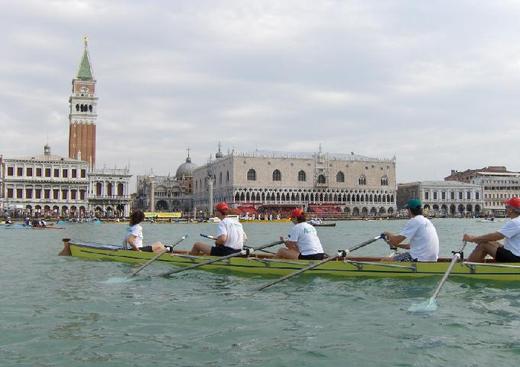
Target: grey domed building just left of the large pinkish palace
166 193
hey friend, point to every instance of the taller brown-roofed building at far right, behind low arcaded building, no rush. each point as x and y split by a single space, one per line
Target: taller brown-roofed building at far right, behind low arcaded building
497 183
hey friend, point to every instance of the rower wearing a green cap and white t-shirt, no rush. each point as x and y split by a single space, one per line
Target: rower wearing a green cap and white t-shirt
421 233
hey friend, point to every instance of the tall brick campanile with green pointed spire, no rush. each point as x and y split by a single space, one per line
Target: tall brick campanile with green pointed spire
83 113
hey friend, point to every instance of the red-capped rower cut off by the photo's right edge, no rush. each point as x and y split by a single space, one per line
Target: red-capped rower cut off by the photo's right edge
488 244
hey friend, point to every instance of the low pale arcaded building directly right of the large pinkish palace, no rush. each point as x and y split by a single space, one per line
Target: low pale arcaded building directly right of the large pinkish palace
443 198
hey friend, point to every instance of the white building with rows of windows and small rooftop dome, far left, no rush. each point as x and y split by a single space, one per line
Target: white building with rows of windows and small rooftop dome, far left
45 185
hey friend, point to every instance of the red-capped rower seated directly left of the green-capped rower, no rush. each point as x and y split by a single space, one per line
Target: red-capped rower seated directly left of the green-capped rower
303 242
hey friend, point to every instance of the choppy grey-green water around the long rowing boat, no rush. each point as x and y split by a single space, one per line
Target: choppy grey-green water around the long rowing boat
62 311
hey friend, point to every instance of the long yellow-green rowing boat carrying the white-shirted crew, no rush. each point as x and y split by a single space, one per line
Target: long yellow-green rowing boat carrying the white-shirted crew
267 266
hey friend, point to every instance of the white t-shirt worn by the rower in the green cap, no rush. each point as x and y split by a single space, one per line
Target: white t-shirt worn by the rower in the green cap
424 242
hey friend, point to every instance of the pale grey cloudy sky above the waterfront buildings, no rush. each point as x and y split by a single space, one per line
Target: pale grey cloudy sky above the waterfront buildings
434 83
